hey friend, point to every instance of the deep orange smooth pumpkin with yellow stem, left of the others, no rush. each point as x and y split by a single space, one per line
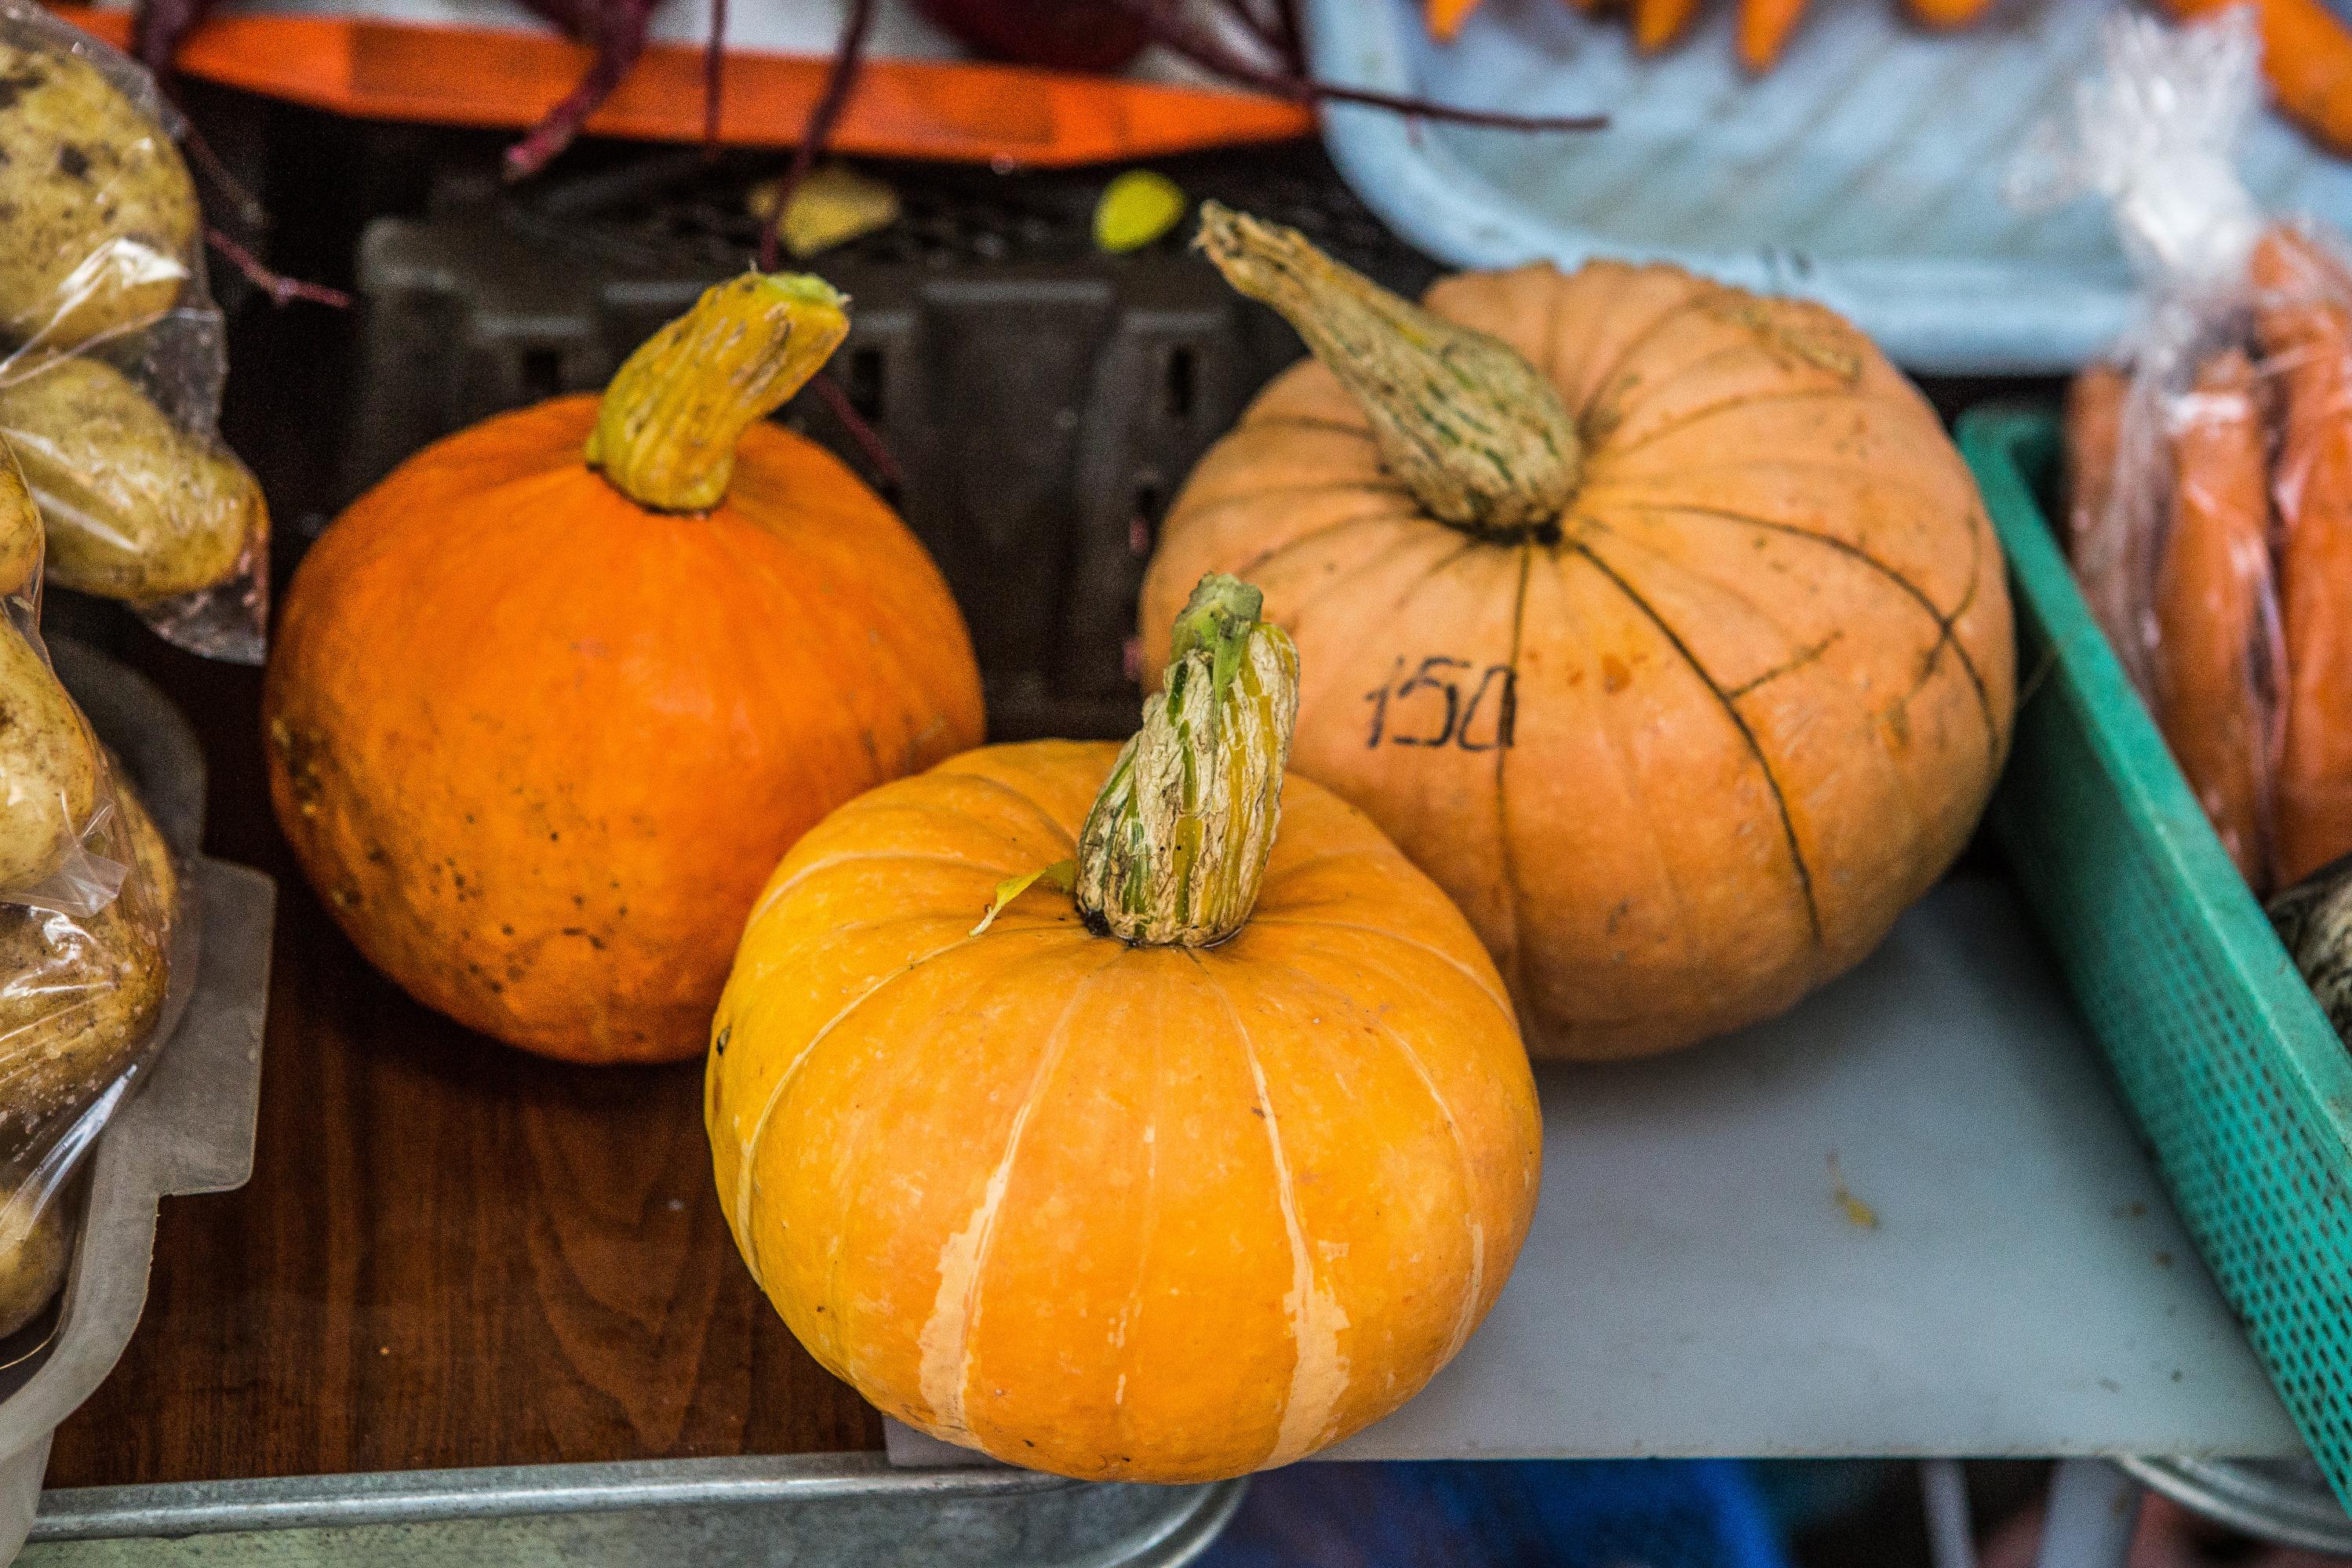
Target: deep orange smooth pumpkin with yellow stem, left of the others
540 723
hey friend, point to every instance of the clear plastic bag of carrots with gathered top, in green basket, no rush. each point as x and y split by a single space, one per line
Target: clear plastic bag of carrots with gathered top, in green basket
2210 457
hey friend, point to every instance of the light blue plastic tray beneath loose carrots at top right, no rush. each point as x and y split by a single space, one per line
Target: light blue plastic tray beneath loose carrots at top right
1864 173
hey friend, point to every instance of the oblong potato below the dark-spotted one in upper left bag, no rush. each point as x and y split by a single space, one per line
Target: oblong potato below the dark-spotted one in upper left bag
135 507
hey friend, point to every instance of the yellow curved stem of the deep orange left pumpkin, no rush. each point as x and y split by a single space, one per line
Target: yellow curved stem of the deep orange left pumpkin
674 415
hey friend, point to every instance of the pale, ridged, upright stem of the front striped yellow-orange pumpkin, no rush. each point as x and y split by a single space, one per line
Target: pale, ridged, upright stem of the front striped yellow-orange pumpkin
1177 843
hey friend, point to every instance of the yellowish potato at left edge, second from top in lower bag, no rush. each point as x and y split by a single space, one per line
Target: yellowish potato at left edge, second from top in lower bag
48 768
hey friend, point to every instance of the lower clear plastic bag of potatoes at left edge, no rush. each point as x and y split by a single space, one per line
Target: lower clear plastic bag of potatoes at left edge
88 902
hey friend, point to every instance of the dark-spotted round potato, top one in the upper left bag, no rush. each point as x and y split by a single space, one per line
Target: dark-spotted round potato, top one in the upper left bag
98 208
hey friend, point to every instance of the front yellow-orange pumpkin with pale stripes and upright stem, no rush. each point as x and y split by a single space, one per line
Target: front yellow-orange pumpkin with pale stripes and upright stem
1189 1174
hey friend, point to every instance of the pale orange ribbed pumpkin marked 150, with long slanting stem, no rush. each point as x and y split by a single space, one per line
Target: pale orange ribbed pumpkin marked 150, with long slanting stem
1659 622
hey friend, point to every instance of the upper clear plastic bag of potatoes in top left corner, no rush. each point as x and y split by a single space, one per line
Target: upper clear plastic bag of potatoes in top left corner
112 351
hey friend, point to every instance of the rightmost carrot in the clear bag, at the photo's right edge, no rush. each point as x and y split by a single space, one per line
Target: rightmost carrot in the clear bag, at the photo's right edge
2304 323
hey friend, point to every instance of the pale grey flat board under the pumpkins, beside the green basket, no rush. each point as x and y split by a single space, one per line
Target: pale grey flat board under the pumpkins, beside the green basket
1695 1285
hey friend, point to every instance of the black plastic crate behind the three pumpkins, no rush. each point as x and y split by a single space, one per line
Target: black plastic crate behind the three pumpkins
1041 403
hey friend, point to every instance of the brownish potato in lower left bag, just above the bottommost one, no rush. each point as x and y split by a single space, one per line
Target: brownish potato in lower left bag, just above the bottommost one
79 996
